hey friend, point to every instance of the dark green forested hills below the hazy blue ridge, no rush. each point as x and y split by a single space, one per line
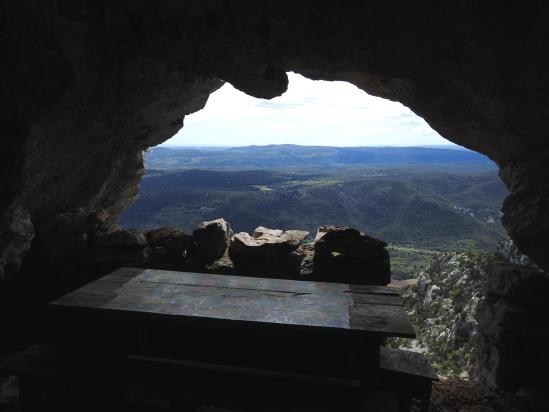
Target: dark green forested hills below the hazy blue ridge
426 209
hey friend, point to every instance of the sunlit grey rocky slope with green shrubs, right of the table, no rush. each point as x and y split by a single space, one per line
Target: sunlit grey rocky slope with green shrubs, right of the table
443 307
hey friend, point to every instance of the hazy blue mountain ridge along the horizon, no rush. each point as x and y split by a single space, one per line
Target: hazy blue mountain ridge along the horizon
312 157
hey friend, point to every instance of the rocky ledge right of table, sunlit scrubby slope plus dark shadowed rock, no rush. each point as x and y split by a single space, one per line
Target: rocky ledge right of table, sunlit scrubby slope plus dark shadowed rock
484 315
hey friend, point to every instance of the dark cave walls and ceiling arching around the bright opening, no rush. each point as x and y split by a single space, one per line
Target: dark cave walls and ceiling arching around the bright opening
88 86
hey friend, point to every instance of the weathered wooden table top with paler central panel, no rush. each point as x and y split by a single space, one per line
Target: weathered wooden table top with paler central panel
362 308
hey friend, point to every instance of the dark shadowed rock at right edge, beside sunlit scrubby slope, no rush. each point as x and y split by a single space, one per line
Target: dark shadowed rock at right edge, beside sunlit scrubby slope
512 337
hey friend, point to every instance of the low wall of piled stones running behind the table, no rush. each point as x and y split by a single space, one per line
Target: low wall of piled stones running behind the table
336 254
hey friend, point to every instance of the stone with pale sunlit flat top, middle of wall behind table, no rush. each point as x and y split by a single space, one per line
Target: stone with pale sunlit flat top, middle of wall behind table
267 252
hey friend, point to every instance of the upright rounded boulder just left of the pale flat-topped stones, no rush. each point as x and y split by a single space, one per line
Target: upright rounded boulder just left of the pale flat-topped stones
211 240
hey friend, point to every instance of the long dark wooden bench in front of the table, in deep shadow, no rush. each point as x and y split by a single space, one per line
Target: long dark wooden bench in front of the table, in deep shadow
65 379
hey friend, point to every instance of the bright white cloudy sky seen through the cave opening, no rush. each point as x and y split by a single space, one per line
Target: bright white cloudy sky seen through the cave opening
316 113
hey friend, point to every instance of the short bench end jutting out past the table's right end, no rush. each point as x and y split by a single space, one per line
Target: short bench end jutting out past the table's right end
409 374
